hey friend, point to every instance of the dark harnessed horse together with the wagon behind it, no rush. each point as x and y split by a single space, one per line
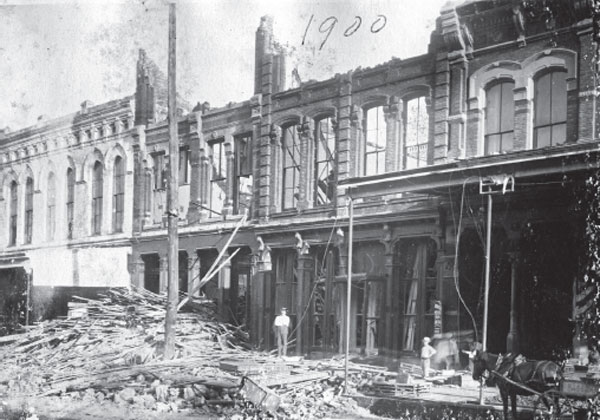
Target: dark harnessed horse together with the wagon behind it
557 394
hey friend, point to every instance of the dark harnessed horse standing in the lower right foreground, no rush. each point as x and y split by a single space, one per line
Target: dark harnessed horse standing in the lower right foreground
539 376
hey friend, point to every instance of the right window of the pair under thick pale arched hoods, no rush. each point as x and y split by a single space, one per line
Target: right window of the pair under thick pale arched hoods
550 109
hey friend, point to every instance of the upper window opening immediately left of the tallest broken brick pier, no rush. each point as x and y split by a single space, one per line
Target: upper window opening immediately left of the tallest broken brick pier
243 165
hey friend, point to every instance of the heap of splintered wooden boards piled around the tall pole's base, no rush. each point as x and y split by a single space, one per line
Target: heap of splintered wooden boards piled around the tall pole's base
120 336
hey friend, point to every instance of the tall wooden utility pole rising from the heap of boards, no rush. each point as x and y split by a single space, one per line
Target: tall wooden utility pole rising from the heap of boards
172 196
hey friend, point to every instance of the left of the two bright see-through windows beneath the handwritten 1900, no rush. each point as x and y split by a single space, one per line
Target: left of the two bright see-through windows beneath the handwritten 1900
375 141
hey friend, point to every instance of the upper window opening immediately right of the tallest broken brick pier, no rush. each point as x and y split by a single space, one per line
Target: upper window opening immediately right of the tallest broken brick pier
290 145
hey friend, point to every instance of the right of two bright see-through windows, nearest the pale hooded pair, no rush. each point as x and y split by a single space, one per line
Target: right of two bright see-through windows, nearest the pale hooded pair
416 133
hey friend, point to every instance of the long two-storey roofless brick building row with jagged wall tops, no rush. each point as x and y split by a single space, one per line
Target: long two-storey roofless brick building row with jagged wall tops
505 98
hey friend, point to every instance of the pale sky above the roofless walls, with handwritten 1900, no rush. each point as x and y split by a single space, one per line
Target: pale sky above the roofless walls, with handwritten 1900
56 54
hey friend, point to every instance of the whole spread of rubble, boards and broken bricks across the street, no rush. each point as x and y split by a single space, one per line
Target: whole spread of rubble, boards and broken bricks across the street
110 350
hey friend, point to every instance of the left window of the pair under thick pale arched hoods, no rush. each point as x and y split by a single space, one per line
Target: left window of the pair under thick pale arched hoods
499 117
